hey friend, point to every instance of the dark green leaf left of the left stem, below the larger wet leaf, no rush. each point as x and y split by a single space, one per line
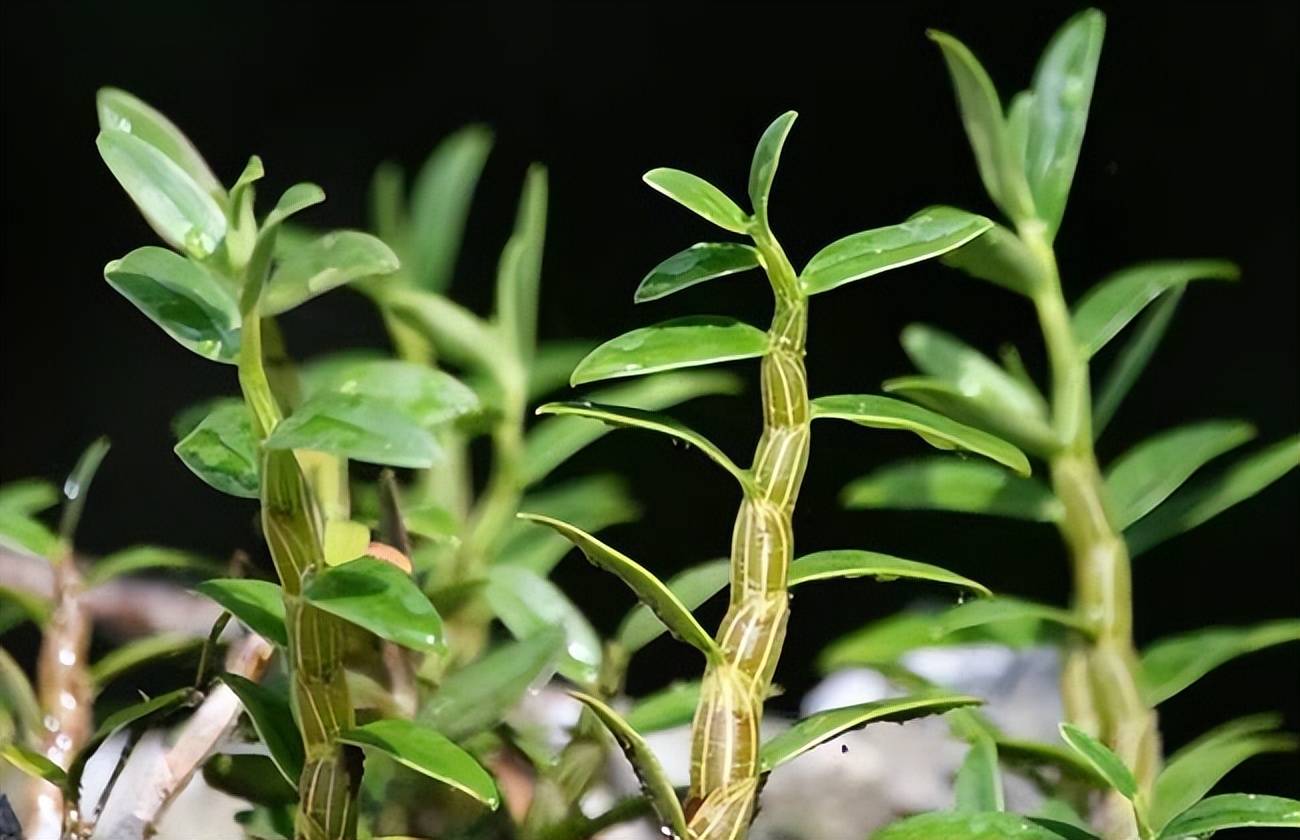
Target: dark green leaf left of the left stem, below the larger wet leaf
222 451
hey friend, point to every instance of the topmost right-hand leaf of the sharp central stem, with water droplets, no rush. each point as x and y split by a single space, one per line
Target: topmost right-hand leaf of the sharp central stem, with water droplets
928 235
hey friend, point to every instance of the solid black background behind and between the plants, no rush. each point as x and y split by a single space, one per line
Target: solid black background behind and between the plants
1191 153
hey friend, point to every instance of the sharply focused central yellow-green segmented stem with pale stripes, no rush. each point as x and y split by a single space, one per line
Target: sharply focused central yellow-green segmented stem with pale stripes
725 776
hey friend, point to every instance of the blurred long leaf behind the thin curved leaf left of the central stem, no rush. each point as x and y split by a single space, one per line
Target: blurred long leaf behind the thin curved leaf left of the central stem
553 441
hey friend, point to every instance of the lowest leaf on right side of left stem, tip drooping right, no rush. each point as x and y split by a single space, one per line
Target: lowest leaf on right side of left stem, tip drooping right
430 754
